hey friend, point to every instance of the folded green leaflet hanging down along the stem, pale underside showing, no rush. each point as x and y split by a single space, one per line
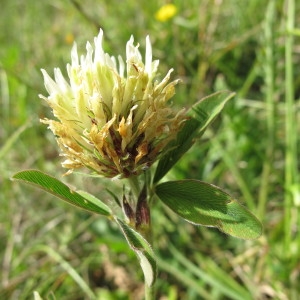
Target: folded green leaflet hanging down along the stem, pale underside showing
143 251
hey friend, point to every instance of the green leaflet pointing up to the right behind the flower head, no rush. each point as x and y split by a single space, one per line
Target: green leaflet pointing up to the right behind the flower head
201 115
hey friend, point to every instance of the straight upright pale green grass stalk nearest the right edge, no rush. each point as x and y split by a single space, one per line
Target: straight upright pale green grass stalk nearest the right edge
290 130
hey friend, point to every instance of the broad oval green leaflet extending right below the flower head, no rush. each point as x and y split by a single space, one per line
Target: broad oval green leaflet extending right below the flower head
205 204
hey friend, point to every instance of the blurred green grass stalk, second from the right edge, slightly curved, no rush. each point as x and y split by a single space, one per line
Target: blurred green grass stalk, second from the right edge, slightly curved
270 107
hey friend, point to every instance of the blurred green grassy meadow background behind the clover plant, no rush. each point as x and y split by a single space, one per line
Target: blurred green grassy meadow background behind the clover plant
250 47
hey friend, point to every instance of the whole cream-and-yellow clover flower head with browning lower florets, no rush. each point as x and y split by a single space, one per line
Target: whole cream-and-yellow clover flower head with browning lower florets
112 123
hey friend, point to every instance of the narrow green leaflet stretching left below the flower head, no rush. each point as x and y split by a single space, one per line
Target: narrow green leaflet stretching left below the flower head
59 189
